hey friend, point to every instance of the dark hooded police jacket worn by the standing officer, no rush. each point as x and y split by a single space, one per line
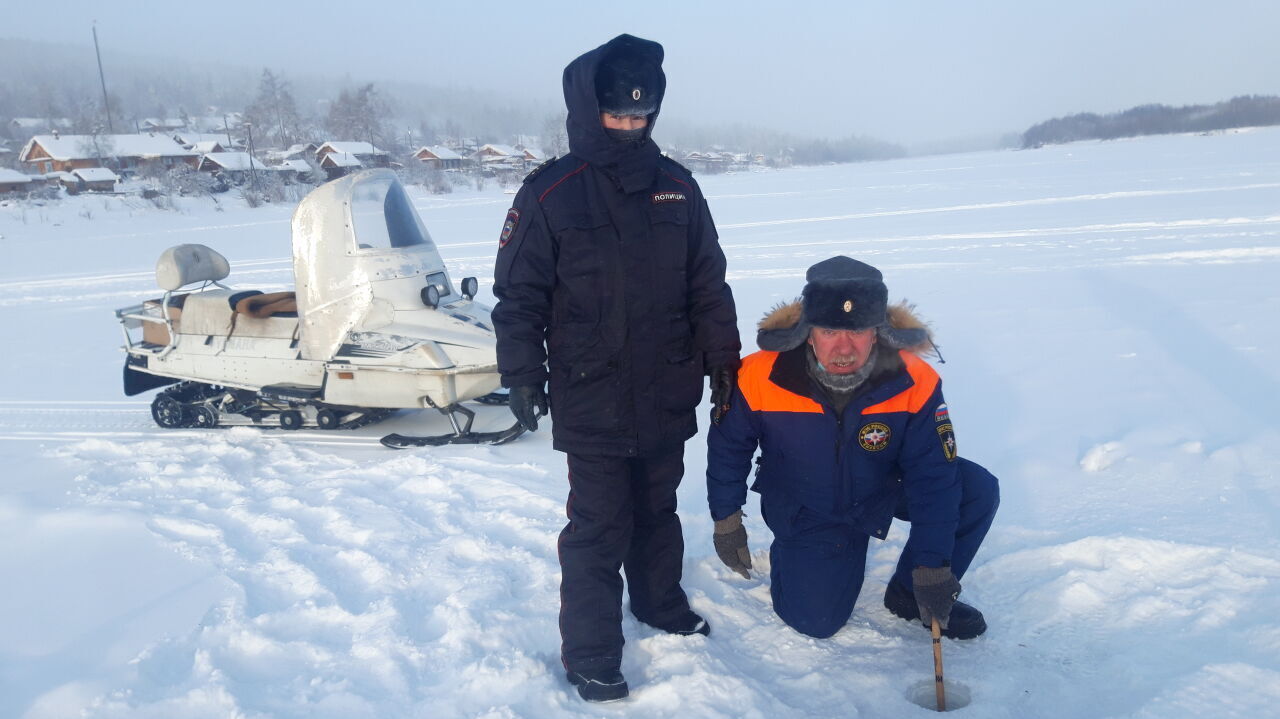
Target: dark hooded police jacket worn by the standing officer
610 273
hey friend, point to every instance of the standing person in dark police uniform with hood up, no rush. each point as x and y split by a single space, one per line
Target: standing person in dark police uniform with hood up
611 288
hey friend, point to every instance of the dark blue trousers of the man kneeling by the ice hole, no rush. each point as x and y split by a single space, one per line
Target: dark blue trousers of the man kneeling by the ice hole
817 565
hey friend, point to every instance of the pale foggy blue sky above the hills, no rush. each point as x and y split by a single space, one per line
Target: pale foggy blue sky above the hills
900 71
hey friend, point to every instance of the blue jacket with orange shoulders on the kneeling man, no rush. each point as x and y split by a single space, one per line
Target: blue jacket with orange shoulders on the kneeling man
894 438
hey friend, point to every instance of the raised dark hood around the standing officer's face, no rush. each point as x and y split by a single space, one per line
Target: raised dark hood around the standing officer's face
632 164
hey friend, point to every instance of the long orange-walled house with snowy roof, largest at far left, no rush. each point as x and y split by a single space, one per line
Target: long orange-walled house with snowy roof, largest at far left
127 153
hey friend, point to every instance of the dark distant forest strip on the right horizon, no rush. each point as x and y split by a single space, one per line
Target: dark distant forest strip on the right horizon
1249 111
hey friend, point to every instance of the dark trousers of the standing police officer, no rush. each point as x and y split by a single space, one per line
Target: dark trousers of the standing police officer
621 516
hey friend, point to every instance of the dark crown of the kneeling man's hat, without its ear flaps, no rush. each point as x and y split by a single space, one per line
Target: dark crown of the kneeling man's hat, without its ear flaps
845 295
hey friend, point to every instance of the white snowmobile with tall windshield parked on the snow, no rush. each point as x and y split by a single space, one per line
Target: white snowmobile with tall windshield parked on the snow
374 326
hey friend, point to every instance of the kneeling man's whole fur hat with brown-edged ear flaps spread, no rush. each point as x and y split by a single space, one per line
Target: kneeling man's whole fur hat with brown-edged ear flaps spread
845 295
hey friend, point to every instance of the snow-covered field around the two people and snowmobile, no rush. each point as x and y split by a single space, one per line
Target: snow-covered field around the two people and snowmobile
1109 315
